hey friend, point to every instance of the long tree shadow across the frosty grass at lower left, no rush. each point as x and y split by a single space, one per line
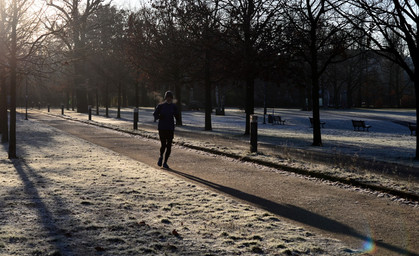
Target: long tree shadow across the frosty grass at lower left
46 217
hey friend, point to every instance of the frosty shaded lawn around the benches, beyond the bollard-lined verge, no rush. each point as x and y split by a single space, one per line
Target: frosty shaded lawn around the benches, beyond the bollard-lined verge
389 138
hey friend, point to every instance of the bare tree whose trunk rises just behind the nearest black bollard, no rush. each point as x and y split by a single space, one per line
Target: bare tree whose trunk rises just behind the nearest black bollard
251 24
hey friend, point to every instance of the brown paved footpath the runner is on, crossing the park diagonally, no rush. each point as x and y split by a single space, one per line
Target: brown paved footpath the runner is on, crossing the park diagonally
348 214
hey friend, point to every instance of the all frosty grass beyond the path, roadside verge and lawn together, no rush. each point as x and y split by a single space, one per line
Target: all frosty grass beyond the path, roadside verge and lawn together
387 141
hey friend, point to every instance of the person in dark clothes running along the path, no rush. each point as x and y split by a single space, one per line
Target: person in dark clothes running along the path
166 112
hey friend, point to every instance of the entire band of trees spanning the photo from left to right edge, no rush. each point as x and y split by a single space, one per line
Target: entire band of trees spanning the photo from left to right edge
94 50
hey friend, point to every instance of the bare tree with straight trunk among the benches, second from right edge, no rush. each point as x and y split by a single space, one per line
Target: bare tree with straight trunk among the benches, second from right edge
319 37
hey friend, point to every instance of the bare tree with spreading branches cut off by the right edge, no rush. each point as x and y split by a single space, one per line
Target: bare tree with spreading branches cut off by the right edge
383 22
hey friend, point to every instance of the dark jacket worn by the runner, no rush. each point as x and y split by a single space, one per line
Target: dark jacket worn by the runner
166 113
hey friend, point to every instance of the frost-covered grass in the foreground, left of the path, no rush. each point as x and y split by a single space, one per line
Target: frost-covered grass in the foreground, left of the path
66 196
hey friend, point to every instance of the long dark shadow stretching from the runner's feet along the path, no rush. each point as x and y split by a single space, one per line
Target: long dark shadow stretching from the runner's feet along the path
296 213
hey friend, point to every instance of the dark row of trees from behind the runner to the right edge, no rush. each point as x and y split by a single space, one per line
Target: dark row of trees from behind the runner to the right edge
250 39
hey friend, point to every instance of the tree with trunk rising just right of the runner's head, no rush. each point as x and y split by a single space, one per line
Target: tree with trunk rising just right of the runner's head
159 47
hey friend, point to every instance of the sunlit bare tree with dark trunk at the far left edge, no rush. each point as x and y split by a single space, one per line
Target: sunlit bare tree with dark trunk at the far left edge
21 54
